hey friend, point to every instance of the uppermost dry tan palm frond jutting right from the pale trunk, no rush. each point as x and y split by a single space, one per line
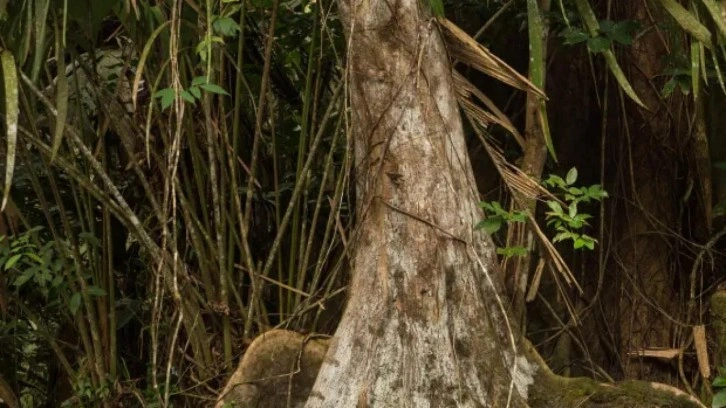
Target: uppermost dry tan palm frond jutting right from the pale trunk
467 50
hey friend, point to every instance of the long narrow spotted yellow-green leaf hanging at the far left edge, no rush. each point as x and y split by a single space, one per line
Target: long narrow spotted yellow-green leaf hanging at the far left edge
10 80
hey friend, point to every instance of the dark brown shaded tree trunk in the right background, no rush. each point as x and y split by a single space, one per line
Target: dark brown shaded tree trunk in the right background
650 196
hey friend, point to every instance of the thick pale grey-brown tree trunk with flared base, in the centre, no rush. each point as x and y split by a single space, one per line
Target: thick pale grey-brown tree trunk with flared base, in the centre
425 324
